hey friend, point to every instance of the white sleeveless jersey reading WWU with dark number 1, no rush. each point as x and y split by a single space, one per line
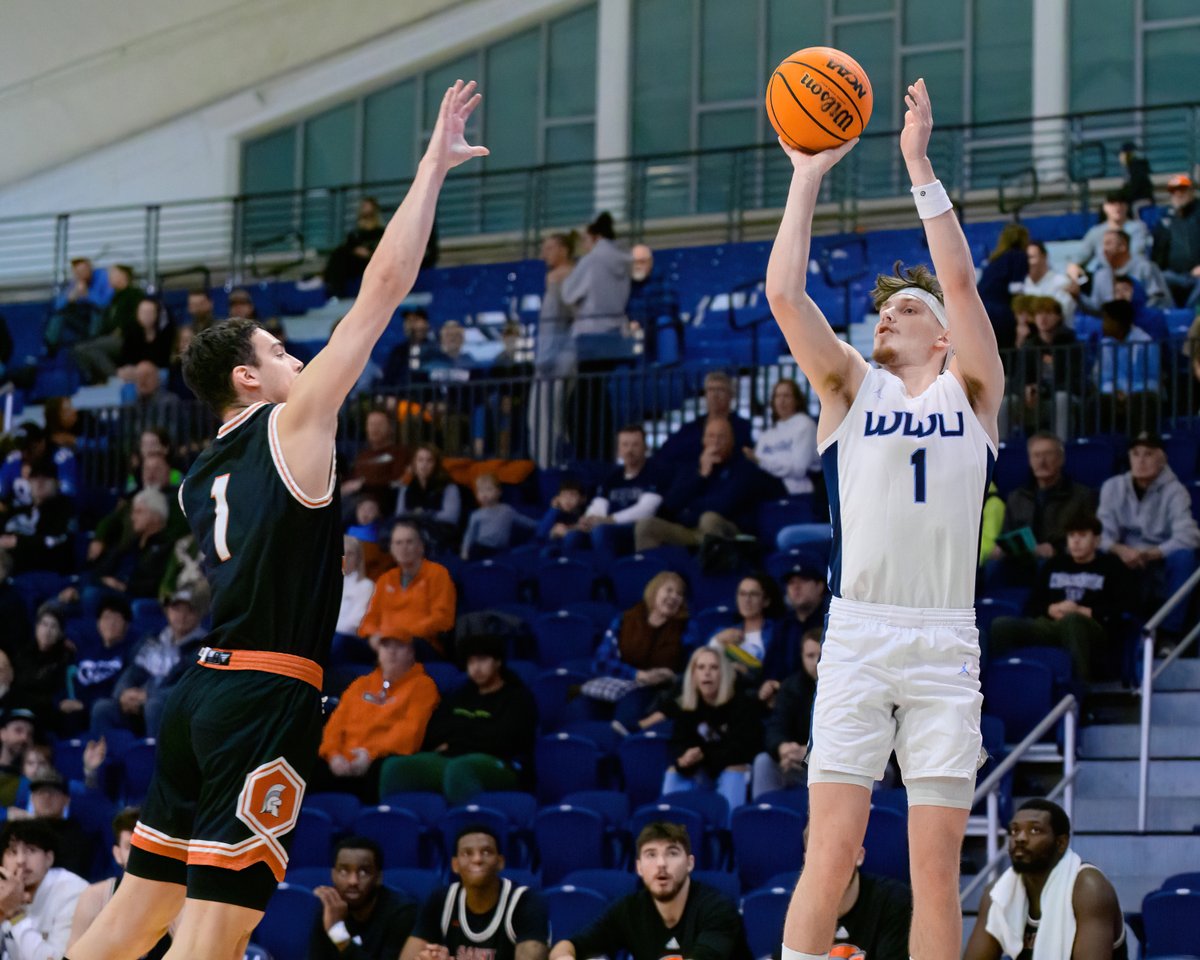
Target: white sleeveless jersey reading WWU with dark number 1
907 479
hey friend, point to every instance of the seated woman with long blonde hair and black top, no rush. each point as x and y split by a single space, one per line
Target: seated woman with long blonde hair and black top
717 733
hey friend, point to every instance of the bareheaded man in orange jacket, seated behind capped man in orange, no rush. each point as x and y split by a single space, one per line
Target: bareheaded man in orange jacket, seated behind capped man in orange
413 602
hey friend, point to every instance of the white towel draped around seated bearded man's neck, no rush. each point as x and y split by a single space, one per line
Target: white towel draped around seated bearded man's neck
1011 910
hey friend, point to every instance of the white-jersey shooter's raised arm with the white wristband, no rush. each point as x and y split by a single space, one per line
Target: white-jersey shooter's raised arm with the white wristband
976 361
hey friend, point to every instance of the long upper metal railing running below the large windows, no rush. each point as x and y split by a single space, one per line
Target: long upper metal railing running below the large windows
721 193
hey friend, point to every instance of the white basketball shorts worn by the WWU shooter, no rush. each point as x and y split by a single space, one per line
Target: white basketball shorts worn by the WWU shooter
898 679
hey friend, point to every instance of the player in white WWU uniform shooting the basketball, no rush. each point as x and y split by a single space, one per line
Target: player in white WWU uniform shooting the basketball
908 447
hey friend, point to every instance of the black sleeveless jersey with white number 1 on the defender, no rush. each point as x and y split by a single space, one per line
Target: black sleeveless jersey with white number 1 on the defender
272 555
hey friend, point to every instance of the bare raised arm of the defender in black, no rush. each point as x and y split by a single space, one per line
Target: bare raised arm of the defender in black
309 423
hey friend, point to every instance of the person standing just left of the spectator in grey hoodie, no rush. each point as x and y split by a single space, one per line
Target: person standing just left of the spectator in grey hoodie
554 355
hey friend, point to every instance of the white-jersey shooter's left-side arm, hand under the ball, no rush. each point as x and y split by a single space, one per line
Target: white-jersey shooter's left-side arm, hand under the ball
832 367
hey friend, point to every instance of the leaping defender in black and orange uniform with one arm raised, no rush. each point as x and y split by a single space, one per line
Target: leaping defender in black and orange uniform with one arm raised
241 730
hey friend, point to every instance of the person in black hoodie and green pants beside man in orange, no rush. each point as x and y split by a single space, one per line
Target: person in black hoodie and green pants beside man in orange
479 739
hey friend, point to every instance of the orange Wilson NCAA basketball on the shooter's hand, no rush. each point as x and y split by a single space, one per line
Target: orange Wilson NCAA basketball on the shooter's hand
819 99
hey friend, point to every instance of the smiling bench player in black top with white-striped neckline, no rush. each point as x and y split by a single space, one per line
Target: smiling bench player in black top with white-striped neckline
483 914
